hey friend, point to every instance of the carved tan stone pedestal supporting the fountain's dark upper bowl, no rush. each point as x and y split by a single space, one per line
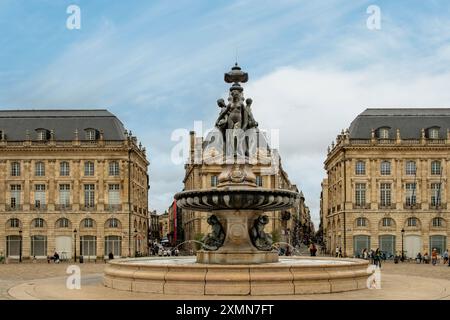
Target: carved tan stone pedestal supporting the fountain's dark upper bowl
237 247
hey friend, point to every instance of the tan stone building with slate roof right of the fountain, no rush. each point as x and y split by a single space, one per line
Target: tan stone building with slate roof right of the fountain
387 183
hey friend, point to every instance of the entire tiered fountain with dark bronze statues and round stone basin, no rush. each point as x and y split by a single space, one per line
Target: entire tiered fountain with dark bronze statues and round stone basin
237 256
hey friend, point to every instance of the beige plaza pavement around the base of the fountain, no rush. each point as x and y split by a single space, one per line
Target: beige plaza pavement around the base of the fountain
48 281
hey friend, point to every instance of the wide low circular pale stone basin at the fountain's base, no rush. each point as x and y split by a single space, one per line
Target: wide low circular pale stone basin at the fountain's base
289 276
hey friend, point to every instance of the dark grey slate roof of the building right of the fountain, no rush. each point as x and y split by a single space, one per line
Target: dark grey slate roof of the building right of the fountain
410 121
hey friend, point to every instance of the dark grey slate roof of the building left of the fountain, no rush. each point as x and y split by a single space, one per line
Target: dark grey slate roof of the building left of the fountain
14 123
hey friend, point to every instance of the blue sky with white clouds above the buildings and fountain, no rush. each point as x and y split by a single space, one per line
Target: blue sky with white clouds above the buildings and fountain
158 66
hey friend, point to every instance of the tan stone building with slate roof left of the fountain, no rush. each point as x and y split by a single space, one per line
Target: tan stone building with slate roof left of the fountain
71 181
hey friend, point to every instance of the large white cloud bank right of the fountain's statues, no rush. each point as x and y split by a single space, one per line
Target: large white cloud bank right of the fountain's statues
311 106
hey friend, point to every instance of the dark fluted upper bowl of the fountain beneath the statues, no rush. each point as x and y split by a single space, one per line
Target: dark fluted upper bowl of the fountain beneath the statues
242 198
